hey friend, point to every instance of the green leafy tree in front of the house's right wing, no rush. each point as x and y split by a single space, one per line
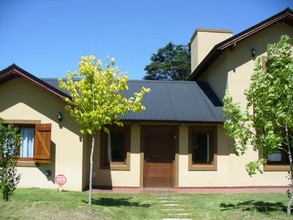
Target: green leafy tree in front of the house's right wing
267 120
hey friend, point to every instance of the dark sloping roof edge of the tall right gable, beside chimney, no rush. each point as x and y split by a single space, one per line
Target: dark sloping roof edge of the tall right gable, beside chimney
284 16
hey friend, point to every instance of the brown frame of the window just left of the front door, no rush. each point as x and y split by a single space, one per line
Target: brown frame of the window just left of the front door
104 163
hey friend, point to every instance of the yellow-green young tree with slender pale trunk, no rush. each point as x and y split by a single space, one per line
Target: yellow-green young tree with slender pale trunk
97 99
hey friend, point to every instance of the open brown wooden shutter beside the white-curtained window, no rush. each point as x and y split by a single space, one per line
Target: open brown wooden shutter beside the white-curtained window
42 151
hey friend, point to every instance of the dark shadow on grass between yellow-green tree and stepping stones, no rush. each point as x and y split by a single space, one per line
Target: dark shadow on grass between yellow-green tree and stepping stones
117 202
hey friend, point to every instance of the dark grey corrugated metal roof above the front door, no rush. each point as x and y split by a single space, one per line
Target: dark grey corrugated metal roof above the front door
170 101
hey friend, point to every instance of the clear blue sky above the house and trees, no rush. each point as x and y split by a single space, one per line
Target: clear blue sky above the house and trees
47 38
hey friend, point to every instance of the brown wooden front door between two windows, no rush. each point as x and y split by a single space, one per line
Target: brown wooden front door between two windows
159 157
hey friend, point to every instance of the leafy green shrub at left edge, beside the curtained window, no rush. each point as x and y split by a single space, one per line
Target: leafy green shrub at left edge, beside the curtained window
10 142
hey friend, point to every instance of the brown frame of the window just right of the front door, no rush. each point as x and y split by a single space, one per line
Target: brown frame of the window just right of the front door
212 131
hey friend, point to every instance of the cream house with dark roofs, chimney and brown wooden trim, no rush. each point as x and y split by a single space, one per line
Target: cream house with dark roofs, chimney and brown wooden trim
178 141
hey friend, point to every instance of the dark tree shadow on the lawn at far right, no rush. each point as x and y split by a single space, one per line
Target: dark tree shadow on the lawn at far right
252 205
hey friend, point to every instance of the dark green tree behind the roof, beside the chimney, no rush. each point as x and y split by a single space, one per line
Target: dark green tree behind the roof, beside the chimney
171 62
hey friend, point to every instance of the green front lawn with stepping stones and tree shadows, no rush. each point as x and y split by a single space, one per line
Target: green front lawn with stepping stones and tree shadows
51 204
